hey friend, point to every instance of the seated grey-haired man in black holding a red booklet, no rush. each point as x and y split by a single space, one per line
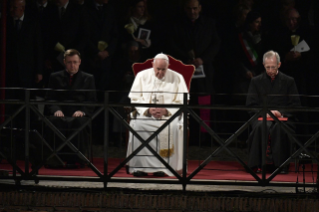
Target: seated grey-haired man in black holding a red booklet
281 91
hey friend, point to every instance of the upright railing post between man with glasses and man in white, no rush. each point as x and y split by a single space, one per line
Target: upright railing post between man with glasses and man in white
106 136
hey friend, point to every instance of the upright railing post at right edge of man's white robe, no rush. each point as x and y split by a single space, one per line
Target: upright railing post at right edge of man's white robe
185 137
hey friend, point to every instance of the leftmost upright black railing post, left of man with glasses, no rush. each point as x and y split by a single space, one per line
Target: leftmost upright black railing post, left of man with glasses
27 129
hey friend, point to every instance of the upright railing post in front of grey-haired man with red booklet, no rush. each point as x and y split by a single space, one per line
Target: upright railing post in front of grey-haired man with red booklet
264 139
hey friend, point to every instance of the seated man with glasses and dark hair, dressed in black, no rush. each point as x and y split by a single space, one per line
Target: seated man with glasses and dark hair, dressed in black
68 118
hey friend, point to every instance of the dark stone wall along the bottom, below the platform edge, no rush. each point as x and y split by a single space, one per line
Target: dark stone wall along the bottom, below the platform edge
66 201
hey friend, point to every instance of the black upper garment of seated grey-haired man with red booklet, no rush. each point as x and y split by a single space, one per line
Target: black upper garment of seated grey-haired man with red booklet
284 87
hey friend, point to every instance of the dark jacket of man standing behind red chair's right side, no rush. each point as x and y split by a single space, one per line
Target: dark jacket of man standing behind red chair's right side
202 37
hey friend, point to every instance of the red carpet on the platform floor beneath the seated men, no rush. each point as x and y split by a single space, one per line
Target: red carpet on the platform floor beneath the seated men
215 170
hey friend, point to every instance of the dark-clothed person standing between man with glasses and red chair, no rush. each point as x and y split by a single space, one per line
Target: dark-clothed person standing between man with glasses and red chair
102 43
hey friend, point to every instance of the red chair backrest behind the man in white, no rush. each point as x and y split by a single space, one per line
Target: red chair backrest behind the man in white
186 71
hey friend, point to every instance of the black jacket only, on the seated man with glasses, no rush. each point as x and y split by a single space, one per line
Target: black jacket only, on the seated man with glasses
82 81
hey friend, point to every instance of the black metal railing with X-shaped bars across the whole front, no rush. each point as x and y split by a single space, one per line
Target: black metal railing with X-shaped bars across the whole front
108 107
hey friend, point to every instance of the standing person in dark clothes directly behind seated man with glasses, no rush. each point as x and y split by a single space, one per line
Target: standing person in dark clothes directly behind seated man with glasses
68 29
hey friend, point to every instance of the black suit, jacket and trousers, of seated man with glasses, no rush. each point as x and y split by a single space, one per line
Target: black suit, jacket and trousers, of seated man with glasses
68 124
